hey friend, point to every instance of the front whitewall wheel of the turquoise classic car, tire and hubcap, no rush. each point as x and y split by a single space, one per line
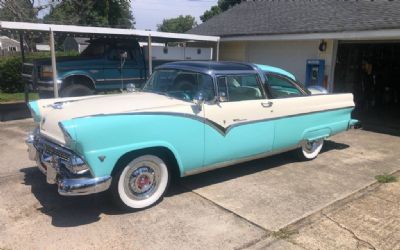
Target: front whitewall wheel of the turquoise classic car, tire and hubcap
141 183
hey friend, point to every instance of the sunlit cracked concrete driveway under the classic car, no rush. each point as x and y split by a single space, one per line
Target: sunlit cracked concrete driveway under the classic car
274 202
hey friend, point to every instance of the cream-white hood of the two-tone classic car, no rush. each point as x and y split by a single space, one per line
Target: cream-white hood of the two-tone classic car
53 111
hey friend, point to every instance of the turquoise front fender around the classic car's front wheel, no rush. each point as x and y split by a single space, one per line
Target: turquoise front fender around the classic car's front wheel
103 139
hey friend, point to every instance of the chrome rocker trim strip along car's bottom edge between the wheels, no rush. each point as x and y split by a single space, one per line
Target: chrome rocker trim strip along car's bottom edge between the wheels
237 161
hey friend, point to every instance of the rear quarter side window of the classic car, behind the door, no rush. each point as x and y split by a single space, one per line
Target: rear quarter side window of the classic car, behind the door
282 88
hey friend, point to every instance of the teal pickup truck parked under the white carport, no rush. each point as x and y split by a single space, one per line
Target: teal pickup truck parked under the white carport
106 64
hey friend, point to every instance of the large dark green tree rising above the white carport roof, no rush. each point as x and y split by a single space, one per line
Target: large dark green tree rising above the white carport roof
113 13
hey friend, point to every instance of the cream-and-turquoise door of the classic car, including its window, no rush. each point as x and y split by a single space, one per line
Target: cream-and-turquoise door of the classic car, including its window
239 124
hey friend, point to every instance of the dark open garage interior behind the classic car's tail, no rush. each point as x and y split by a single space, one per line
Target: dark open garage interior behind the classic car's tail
371 71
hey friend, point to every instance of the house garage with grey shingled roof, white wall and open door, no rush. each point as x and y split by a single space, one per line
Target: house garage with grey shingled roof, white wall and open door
344 46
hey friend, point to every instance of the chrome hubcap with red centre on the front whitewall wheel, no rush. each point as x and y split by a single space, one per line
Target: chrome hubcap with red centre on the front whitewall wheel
141 182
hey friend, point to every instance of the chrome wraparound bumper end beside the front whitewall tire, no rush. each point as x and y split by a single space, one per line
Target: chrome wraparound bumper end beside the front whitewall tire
83 186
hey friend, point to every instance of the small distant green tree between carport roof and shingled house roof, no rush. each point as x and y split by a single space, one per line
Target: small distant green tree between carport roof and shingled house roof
180 24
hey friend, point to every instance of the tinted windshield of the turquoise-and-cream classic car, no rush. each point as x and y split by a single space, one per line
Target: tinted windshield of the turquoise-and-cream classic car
180 84
